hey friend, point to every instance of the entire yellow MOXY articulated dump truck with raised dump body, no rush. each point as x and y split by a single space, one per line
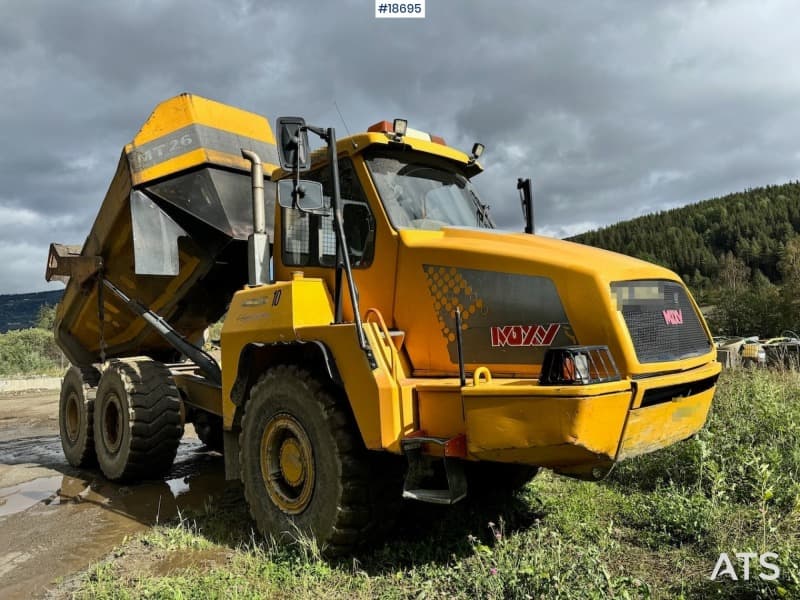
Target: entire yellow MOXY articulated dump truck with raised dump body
382 340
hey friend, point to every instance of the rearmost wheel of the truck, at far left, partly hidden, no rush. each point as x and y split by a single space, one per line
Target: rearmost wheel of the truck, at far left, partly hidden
75 409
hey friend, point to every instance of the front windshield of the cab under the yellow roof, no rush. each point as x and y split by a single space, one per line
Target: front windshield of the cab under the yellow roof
423 192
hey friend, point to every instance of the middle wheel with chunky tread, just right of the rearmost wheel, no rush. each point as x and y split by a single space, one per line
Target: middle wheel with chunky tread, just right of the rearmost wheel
137 420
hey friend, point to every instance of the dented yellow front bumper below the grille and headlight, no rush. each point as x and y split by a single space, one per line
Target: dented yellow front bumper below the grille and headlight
583 430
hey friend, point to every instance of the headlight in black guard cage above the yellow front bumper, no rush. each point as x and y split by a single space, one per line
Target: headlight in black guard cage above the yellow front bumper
578 365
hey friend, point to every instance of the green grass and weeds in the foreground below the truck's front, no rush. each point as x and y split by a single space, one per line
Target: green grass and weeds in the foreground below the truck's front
654 529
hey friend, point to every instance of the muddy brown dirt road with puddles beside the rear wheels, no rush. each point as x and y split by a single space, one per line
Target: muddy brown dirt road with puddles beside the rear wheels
56 520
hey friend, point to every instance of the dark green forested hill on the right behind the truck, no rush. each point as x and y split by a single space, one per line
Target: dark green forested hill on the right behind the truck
753 225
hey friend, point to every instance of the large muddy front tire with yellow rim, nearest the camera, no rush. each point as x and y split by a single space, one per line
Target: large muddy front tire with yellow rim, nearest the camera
304 466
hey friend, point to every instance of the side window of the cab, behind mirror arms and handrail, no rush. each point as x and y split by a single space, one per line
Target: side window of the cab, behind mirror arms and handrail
310 240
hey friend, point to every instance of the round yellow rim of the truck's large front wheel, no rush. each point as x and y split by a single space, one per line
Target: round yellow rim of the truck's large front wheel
287 464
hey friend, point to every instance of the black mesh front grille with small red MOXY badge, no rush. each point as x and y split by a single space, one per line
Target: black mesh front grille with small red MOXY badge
661 320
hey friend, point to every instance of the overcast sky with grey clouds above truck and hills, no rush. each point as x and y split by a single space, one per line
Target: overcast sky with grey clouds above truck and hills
615 109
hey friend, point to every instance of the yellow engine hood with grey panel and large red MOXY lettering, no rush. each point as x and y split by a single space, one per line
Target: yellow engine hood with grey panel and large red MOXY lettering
519 295
